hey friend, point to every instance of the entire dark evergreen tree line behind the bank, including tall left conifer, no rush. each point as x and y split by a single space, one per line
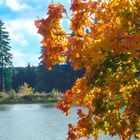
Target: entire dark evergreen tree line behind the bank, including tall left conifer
38 77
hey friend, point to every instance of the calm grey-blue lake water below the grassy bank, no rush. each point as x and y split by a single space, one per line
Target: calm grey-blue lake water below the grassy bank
36 122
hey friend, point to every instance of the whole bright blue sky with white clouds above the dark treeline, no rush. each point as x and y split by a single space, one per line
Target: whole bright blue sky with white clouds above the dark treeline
19 16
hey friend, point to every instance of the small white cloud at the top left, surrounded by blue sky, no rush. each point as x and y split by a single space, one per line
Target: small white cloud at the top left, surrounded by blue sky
16 6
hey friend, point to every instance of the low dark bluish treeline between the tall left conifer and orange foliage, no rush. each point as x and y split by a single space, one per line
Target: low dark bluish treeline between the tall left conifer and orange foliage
43 80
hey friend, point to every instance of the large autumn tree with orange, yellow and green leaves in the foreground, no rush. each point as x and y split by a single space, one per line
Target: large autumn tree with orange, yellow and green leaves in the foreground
105 40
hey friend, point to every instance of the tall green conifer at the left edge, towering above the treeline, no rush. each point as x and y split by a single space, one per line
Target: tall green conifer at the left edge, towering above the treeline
5 58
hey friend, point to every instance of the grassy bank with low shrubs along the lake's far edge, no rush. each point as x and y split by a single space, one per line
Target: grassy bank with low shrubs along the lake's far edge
13 97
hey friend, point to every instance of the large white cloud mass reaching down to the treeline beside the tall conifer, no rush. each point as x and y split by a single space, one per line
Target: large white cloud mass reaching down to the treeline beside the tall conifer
22 32
